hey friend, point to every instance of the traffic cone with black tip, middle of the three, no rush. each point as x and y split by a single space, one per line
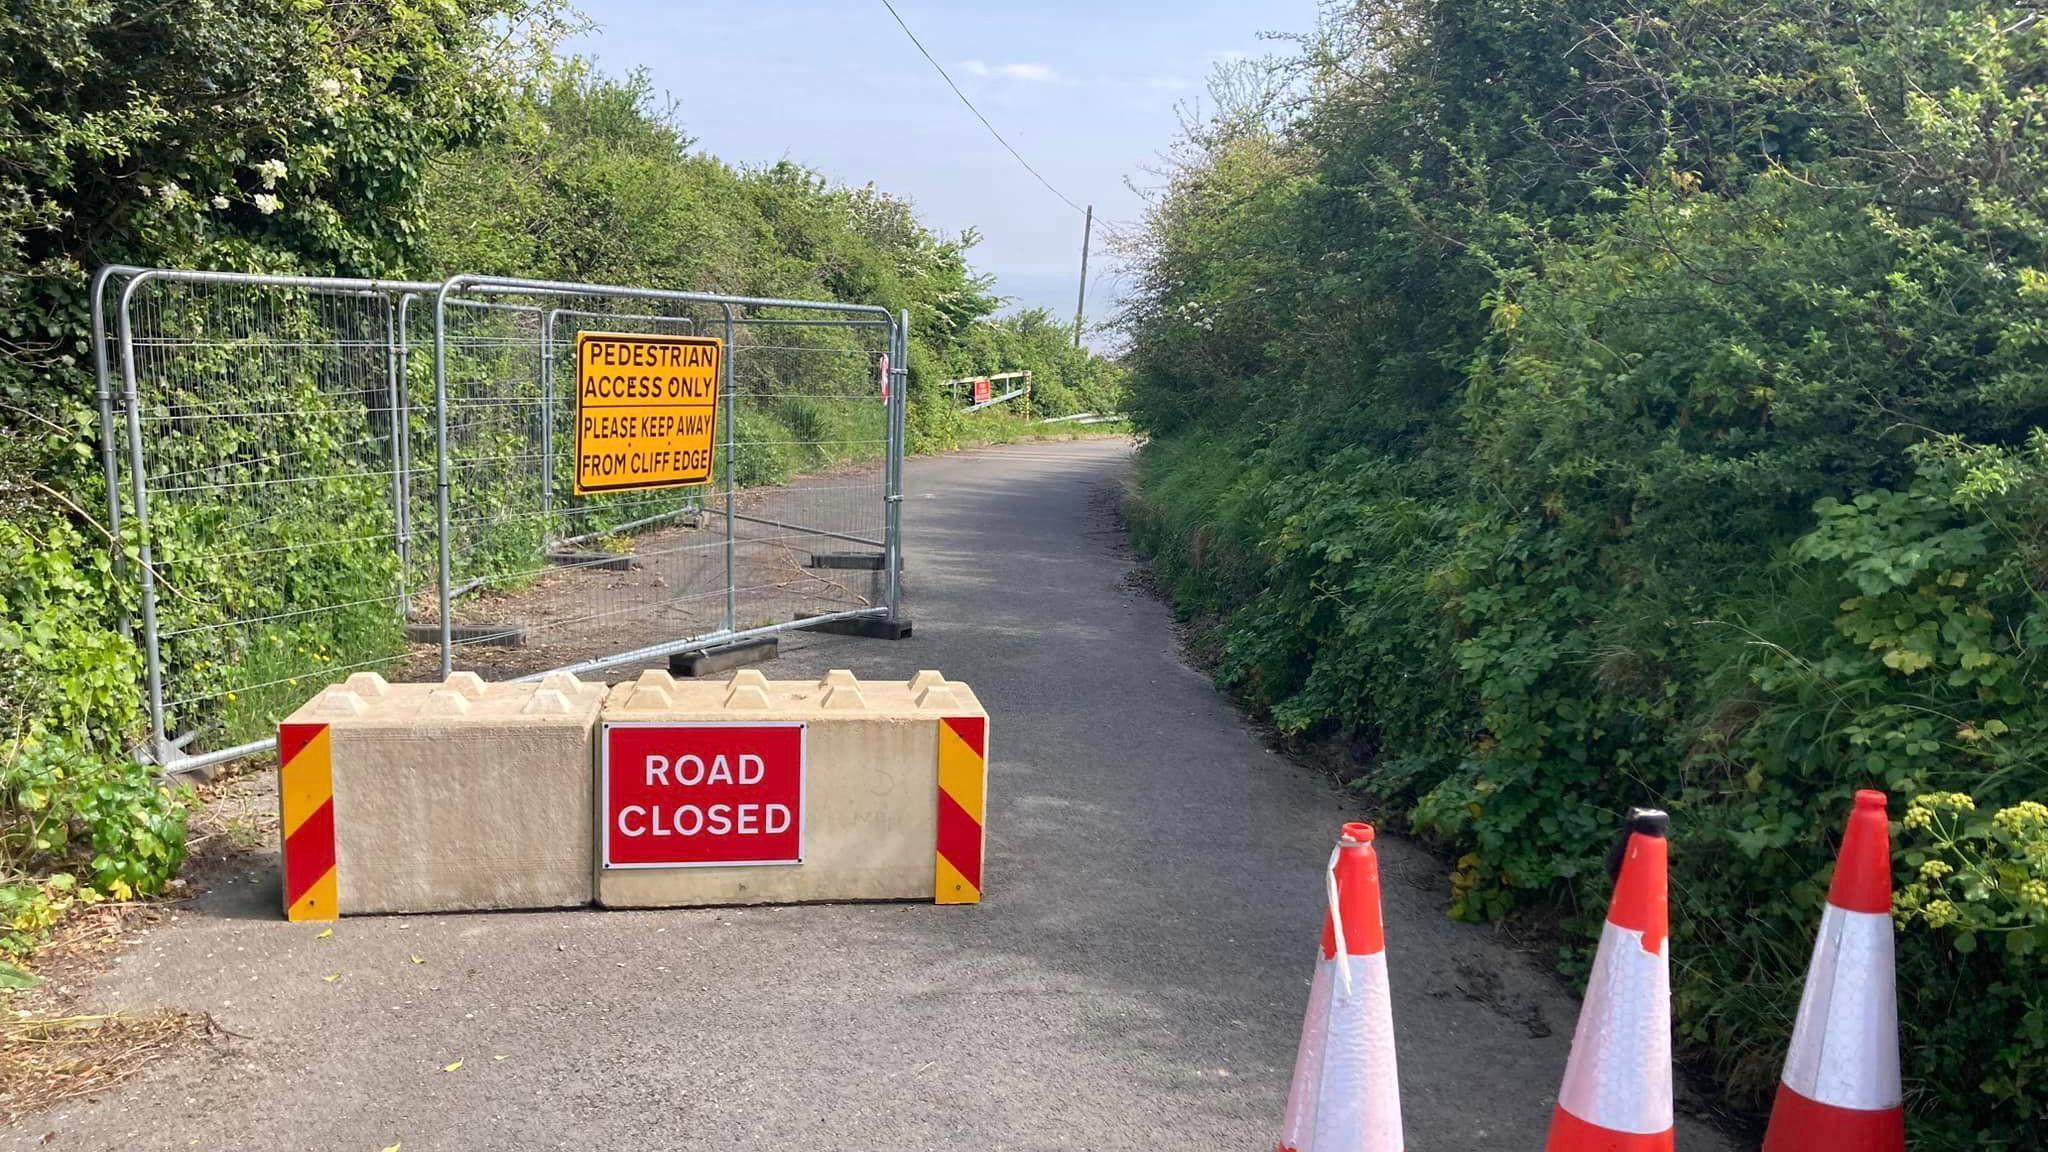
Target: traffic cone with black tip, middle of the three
1617 1094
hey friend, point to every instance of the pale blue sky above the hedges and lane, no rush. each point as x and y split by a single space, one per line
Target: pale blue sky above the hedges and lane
1084 91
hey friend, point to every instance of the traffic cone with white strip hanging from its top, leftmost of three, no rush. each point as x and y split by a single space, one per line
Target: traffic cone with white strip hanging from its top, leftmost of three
1345 1096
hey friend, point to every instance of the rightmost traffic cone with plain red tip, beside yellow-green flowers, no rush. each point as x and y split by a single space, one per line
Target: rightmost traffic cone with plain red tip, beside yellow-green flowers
1840 1089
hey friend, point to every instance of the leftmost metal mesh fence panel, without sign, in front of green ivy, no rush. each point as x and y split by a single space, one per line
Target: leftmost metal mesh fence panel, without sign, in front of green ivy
263 487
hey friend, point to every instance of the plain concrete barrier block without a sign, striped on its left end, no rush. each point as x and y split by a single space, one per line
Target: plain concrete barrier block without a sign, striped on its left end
437 798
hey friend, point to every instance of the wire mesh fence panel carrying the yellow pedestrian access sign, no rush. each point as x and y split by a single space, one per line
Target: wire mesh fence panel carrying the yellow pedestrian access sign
792 528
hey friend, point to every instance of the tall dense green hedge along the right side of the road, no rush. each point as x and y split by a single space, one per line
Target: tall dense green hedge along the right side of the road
1572 411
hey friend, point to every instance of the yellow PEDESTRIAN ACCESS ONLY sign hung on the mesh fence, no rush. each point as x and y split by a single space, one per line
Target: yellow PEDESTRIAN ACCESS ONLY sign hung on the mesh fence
646 409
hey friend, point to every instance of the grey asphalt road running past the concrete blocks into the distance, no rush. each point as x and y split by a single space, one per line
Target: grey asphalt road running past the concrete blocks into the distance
1136 977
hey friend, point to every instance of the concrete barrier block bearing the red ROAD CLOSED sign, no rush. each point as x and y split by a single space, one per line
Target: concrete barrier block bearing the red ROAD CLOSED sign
761 792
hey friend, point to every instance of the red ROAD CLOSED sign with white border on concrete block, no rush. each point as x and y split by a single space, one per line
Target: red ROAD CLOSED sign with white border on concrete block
701 794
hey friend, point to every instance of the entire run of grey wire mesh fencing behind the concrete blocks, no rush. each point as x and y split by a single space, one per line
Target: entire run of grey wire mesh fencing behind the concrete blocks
323 477
